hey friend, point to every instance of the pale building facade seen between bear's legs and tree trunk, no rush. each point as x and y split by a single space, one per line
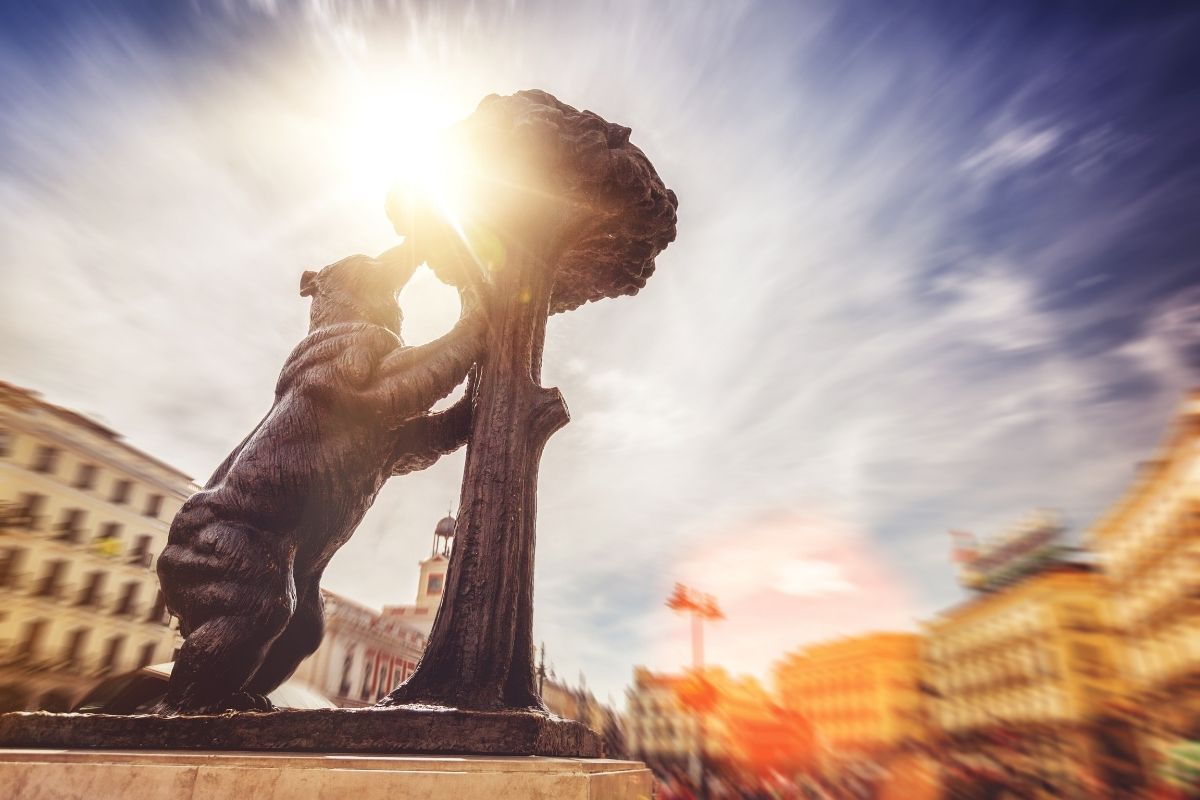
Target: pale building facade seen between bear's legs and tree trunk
365 654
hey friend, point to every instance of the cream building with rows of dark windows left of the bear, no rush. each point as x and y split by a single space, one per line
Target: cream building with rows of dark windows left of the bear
83 516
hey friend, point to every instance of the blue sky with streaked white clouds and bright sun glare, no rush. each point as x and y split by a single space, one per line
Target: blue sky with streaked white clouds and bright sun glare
938 266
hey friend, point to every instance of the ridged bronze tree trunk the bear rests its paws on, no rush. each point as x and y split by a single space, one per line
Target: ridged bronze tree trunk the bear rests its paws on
481 651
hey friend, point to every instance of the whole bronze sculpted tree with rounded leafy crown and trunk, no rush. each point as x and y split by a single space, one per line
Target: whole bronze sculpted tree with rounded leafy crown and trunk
563 210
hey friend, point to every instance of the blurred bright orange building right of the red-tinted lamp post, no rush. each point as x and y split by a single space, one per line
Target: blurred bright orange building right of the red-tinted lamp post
861 695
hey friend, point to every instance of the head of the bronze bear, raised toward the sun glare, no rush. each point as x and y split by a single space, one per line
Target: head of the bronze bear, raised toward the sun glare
358 290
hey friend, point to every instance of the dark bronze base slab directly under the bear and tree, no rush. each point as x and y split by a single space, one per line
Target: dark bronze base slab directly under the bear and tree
343 731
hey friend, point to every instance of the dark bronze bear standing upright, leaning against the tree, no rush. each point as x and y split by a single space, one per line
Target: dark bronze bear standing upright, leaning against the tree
245 555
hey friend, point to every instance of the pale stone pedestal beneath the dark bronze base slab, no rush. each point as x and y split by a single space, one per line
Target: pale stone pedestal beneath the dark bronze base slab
199 775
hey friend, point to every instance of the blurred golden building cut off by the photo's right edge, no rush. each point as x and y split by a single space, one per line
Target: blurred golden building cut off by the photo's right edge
1149 545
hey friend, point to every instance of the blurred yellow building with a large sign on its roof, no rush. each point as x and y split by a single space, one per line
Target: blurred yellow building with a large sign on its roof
1035 661
